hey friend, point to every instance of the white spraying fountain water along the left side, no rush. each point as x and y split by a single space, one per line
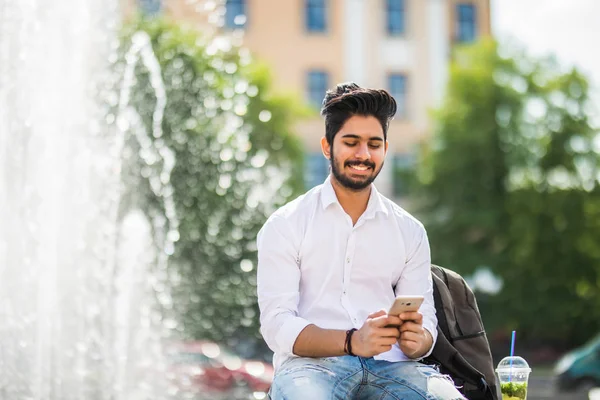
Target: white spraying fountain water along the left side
79 282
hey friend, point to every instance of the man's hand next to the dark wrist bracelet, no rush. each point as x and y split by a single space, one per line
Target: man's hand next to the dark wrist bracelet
374 337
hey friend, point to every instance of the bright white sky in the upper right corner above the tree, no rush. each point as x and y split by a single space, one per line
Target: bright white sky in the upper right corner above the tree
569 29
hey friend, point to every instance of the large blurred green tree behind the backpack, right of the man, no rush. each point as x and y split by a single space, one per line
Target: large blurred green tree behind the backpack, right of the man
510 182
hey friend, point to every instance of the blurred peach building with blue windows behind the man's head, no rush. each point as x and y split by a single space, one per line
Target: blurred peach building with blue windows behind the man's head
311 45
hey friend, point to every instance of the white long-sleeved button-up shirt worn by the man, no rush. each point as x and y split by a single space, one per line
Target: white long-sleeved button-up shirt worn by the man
315 267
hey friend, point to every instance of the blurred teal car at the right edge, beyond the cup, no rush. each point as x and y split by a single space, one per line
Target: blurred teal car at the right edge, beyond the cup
579 369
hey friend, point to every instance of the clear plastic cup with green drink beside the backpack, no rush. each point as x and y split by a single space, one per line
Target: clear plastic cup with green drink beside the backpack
513 378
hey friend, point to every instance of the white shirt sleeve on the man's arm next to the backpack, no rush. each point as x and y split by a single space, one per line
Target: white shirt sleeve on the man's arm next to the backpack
416 280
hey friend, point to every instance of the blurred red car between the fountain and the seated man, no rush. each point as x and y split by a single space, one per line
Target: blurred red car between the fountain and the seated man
208 370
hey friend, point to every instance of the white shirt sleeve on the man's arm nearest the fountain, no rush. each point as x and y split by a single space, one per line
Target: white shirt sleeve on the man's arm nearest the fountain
278 286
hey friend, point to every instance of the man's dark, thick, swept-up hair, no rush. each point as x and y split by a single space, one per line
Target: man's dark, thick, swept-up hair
349 99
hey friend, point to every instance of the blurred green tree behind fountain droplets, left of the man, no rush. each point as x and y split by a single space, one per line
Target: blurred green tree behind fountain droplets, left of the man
236 160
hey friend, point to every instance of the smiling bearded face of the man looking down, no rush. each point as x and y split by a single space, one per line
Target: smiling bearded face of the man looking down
357 153
